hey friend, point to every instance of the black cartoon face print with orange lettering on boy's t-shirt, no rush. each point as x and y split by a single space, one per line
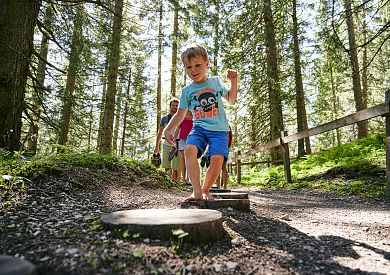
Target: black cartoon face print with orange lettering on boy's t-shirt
207 103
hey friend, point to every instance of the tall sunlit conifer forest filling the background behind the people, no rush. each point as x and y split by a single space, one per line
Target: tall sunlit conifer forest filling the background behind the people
96 76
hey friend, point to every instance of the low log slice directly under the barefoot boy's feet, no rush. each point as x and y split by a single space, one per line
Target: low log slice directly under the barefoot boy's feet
238 204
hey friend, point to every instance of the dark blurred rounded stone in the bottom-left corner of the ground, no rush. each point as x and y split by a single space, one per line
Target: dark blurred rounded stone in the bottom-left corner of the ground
15 266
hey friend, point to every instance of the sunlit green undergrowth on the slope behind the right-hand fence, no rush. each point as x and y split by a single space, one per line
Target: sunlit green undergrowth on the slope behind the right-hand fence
356 168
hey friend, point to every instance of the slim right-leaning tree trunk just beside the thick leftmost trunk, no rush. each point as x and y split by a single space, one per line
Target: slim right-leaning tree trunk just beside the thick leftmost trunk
38 93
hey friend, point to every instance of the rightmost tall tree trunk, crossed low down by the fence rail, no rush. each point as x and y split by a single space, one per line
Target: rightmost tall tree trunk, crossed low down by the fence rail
357 91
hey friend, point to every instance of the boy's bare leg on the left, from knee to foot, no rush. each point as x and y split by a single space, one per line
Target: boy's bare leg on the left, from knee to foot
193 170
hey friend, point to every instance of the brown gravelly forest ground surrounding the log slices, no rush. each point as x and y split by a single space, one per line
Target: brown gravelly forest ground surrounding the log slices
55 224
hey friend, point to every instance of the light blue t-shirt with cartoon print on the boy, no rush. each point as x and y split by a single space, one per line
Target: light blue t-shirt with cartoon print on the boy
204 100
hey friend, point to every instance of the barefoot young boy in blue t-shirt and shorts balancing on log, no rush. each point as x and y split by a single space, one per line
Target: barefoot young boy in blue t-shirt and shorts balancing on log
203 97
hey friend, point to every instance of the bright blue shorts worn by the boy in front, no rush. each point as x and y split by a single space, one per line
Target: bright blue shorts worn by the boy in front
217 141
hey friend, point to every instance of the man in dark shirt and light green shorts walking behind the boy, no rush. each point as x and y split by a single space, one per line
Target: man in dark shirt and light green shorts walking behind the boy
170 166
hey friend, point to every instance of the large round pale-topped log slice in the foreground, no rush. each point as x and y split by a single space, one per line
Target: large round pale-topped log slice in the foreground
203 225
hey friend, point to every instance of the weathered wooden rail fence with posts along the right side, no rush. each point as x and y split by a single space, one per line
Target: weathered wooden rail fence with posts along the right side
378 110
